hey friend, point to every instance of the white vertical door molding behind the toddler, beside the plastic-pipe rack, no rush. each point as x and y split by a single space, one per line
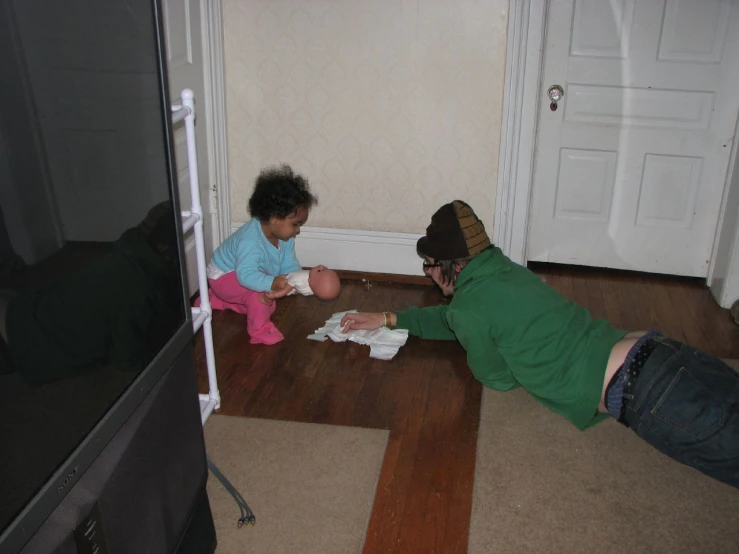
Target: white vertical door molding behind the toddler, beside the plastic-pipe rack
215 103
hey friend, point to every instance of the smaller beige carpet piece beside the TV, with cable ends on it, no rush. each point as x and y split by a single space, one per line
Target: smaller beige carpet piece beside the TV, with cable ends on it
310 486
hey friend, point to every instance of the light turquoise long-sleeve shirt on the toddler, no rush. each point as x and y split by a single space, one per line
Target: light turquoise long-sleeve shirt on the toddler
255 260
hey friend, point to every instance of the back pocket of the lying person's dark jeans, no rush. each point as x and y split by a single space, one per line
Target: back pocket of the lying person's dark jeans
689 405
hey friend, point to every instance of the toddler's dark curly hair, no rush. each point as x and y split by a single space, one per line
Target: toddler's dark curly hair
278 192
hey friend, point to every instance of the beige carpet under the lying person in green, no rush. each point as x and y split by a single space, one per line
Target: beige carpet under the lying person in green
543 486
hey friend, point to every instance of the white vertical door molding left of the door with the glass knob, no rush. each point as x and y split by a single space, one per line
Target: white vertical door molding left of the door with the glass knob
526 28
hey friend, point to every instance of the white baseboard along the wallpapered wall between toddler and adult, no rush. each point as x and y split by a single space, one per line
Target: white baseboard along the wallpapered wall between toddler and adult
370 251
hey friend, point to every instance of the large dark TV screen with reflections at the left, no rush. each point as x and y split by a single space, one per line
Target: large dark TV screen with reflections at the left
91 279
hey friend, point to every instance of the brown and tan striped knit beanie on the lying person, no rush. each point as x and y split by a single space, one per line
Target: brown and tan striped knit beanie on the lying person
455 232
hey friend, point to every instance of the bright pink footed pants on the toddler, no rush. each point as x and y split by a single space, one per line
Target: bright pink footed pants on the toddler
228 294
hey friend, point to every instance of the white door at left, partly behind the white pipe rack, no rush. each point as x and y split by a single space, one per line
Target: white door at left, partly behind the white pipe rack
184 44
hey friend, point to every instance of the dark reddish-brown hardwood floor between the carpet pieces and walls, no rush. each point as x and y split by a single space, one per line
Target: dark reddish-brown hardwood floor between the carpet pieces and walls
425 396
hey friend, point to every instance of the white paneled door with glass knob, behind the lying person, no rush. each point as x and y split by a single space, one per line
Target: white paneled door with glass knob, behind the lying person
631 166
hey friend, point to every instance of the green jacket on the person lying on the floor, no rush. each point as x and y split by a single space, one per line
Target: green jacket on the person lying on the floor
518 331
